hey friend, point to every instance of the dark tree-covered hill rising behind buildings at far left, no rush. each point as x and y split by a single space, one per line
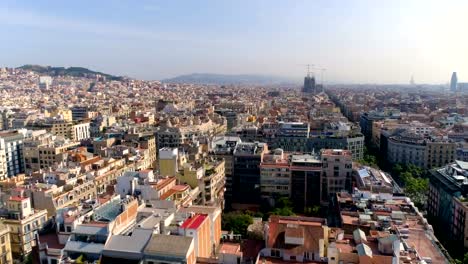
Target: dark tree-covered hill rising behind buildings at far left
62 71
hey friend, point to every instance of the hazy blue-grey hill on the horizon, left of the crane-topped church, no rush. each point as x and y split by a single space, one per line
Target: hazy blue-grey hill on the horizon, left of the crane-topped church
224 79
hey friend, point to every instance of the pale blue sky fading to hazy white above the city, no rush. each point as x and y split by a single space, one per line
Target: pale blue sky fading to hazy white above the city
356 41
